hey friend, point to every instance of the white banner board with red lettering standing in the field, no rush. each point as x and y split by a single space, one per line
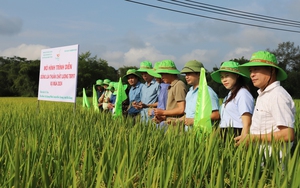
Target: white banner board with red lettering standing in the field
58 74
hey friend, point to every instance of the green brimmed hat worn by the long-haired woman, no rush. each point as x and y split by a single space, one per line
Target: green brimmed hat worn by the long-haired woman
228 66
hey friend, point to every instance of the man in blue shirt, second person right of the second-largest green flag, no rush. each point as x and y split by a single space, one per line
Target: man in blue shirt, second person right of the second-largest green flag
149 91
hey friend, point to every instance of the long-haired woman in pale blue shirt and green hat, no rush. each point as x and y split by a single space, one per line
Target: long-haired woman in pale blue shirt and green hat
237 107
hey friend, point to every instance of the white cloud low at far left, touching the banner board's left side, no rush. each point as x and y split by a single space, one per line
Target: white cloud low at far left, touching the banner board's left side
31 51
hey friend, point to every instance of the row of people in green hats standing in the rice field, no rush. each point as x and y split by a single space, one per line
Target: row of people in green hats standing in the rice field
158 96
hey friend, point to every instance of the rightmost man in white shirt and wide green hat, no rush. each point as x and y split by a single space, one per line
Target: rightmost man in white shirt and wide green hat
274 111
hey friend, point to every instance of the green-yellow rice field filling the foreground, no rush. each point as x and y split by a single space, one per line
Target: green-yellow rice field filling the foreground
51 144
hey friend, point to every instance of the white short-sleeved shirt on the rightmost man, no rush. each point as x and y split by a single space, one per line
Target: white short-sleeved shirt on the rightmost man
274 107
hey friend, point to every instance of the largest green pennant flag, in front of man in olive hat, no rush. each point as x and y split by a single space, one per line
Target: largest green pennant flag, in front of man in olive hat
202 121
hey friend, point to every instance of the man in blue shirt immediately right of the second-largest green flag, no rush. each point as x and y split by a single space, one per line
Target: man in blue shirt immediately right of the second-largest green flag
134 95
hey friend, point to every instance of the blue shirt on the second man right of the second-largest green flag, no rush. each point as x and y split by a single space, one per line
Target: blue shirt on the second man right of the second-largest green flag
149 95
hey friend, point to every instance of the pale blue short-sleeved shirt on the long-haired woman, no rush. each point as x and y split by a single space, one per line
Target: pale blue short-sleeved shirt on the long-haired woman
231 114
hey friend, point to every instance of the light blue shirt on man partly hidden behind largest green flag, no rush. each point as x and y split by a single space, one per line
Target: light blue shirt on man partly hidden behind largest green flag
191 101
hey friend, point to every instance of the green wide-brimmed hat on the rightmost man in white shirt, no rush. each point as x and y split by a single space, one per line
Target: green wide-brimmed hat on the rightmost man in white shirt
263 58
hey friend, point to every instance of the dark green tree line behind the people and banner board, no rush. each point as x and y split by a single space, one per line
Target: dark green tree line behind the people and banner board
20 77
